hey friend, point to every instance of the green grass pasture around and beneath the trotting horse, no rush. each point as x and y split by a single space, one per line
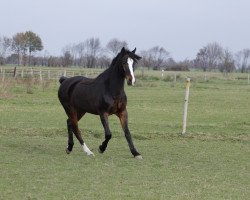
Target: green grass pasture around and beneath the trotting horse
211 162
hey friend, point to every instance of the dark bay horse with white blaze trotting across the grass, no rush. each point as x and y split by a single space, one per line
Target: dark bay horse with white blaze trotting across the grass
103 96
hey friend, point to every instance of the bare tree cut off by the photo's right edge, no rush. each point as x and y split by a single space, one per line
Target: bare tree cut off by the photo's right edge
243 60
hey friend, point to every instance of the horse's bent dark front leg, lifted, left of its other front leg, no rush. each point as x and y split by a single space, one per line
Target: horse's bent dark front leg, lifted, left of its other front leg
108 135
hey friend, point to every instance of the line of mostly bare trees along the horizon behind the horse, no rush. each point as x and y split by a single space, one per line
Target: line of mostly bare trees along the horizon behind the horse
23 48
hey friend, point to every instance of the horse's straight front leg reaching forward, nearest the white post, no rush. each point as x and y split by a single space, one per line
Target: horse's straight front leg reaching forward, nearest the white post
123 116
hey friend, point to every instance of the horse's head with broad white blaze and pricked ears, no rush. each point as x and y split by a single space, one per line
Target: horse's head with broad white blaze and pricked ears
129 58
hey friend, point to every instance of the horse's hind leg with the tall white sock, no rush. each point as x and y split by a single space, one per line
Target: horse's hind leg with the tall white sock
74 120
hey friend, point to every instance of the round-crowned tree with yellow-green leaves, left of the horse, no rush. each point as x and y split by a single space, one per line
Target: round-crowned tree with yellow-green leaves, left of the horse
33 43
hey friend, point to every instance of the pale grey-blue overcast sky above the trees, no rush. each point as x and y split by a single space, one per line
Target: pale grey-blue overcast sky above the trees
182 27
